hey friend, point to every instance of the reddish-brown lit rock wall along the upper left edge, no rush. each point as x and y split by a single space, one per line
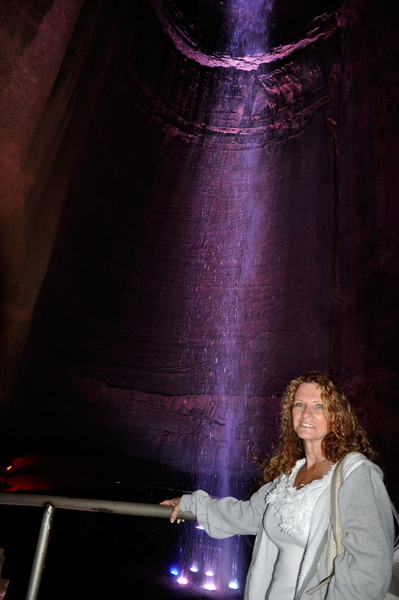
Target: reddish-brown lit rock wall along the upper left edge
32 124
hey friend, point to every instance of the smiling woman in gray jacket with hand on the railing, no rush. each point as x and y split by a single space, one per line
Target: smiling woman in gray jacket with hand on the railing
290 513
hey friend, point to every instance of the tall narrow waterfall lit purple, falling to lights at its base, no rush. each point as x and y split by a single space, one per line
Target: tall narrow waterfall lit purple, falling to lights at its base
230 248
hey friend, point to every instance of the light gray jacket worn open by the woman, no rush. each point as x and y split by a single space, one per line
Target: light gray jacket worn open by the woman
362 572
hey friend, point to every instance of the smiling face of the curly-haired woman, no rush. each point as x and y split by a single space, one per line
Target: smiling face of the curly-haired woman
308 418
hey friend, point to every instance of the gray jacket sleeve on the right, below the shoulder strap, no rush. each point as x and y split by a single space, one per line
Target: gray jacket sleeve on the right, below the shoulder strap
363 571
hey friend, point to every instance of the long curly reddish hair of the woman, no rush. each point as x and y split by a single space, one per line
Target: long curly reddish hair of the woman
345 433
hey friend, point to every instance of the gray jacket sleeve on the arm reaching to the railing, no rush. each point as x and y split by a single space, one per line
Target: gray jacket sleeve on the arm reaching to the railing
227 516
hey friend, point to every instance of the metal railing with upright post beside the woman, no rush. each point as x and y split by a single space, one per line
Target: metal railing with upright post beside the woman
51 503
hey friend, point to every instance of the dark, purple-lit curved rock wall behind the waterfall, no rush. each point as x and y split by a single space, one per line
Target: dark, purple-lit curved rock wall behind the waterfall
229 223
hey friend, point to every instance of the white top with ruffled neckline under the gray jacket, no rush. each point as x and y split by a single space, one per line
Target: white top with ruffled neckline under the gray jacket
286 522
